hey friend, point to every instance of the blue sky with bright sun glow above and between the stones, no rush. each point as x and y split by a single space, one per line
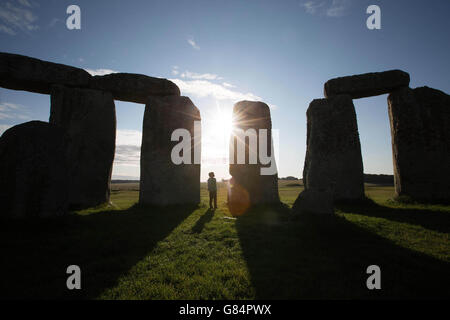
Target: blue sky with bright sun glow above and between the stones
220 52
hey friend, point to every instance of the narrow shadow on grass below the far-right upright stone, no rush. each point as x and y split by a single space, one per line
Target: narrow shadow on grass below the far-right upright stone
430 219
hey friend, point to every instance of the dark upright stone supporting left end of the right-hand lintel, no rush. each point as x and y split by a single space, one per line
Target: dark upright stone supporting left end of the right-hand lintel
333 158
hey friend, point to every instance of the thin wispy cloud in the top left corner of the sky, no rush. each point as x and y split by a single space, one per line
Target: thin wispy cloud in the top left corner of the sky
17 16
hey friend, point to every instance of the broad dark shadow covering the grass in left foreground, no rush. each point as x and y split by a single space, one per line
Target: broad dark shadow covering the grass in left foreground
104 245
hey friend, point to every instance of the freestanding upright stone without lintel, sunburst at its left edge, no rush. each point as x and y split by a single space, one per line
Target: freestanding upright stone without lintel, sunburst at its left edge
261 188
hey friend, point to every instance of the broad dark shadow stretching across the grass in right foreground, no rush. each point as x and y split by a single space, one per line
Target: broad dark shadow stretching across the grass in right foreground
315 257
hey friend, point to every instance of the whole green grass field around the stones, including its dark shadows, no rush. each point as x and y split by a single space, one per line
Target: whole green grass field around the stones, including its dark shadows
131 252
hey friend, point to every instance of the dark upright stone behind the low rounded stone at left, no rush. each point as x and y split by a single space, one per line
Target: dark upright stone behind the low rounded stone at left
89 119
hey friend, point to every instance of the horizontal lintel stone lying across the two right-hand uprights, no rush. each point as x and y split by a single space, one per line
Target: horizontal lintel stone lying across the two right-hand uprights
368 84
